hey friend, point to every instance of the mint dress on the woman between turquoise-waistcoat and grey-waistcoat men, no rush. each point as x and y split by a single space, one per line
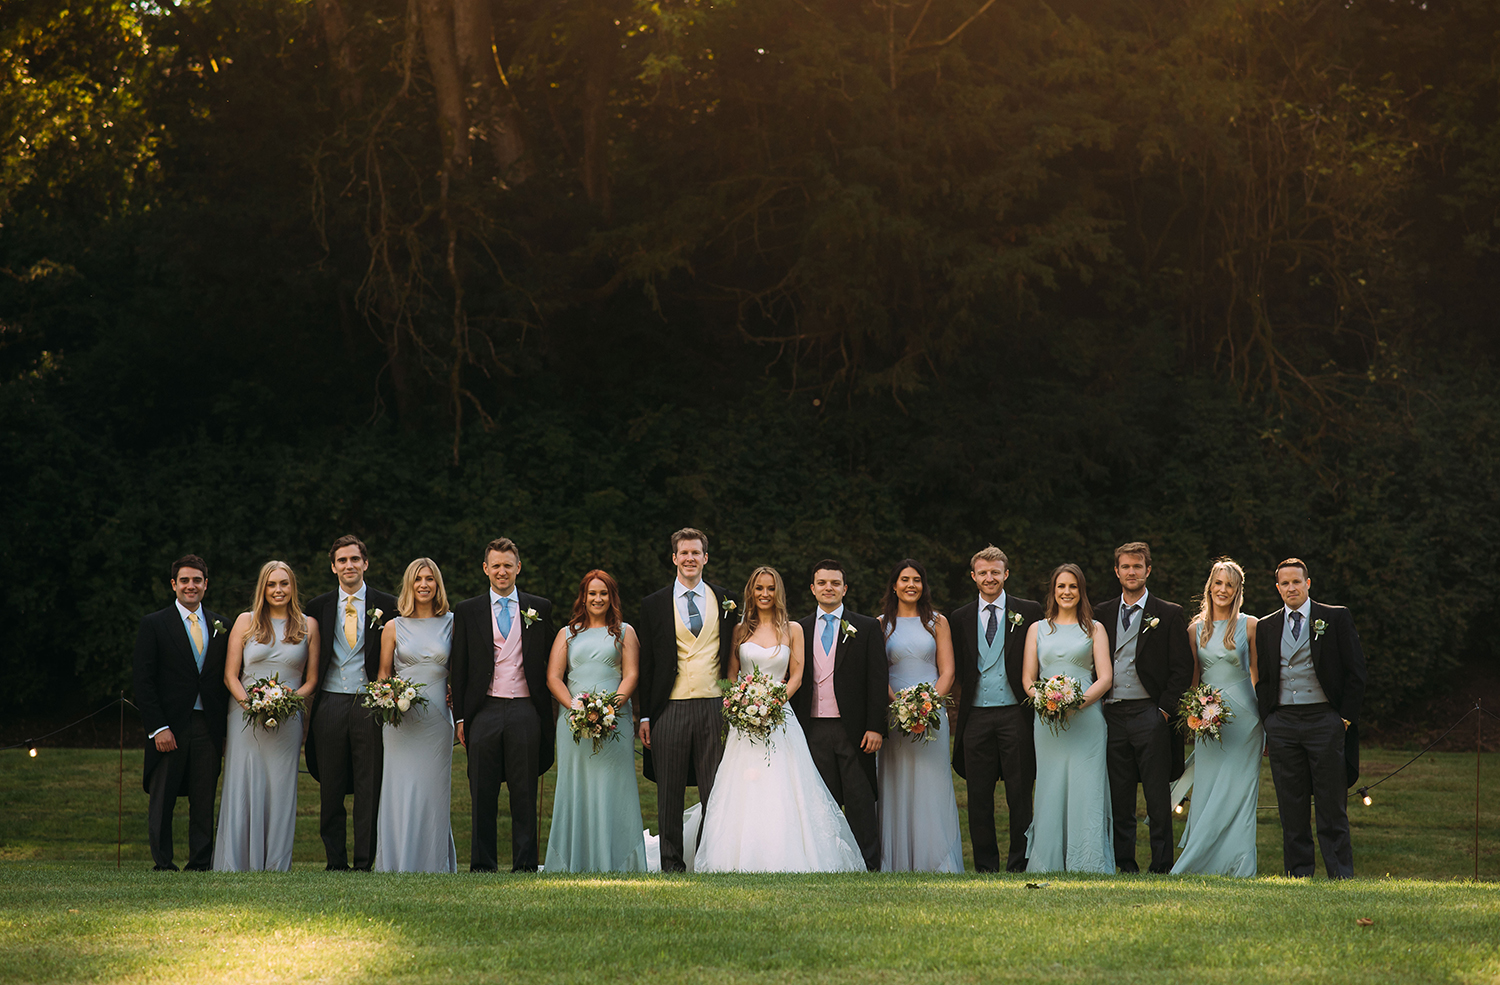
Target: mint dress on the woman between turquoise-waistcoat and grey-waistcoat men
1072 828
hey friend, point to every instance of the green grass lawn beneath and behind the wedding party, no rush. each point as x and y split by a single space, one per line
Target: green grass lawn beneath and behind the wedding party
68 915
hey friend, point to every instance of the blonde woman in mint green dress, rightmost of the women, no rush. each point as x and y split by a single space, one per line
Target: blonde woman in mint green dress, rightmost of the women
1220 839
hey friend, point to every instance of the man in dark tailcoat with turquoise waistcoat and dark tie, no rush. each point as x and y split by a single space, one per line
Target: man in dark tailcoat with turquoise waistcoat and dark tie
995 725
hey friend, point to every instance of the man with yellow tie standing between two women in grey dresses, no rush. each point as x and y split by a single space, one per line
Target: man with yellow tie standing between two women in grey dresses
346 752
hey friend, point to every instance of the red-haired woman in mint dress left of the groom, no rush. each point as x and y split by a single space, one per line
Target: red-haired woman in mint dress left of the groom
596 812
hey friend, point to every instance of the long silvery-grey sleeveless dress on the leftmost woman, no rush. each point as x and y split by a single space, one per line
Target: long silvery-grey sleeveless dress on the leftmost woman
259 806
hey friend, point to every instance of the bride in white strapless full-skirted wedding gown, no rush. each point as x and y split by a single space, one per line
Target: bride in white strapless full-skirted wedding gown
770 810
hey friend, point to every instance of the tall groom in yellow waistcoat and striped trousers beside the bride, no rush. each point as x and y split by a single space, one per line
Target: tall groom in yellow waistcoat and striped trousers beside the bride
686 635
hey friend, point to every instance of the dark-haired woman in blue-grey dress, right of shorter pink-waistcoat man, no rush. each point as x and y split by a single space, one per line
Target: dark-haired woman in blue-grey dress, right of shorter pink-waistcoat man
919 812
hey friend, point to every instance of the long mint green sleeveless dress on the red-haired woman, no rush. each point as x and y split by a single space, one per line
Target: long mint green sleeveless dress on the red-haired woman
596 812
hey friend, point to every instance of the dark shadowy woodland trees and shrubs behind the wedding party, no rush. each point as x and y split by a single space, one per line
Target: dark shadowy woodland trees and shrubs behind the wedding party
820 277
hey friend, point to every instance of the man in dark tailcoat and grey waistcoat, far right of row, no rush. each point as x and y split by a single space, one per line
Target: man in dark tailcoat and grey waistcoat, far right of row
1310 696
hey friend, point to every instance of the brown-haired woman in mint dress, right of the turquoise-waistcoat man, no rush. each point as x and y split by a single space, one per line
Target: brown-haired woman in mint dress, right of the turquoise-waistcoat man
1072 822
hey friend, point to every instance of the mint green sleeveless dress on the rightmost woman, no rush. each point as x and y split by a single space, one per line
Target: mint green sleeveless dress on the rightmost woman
1220 839
